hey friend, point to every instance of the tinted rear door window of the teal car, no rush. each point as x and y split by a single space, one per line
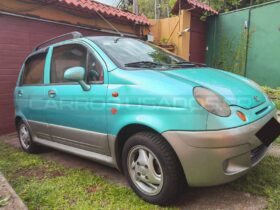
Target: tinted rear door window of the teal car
33 73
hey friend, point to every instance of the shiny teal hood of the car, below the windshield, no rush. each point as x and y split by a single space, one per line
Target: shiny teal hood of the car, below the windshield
235 89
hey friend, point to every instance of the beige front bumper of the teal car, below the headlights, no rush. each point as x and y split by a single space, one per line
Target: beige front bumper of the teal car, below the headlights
215 157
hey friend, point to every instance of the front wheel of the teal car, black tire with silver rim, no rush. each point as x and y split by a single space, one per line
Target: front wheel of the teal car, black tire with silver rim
152 168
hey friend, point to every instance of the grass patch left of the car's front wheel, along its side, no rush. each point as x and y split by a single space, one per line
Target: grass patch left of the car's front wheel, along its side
44 184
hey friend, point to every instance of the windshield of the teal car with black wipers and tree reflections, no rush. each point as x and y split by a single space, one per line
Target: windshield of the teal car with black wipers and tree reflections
133 53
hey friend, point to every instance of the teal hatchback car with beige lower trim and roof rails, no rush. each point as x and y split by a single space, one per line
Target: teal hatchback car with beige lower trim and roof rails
164 122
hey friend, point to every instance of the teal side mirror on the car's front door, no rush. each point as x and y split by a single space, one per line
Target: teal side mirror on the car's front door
77 74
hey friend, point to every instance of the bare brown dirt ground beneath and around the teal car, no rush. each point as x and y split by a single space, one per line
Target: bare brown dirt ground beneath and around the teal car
221 197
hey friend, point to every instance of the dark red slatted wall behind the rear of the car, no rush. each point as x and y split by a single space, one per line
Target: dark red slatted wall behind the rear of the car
18 37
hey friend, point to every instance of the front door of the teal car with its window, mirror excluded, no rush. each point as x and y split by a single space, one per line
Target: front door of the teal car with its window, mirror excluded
76 117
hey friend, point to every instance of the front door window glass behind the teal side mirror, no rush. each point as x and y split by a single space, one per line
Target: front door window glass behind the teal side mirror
65 57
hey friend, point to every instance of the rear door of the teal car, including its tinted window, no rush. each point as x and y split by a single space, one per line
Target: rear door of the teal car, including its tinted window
30 94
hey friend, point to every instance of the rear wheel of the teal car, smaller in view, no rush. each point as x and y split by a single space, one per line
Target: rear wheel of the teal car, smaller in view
25 138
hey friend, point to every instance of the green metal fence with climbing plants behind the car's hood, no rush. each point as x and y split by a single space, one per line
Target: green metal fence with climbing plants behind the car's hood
247 42
